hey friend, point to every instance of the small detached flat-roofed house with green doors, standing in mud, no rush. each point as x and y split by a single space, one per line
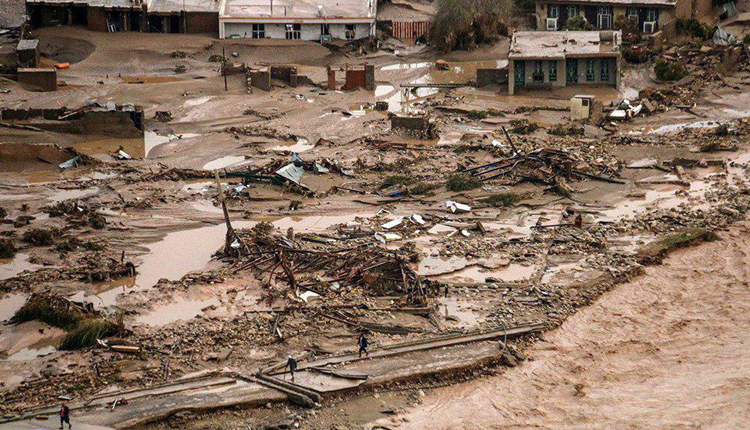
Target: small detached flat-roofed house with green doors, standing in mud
545 59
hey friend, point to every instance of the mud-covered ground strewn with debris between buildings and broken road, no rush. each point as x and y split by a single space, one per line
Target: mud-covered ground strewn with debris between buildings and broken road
515 257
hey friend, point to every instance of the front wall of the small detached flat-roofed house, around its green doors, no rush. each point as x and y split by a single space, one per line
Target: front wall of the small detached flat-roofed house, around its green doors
530 68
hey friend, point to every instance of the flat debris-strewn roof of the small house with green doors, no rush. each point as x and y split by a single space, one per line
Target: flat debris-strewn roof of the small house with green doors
558 45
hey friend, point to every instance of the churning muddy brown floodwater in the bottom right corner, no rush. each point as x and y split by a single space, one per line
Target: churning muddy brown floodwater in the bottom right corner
667 351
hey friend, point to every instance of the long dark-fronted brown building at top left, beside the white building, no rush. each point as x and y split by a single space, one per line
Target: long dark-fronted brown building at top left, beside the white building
154 16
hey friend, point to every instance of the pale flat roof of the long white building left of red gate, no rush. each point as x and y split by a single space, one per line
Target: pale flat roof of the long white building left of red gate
311 10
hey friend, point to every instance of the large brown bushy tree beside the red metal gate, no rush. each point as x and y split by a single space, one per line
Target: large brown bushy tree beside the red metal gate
463 24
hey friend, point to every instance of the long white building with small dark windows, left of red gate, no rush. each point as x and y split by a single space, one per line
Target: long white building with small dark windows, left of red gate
317 20
